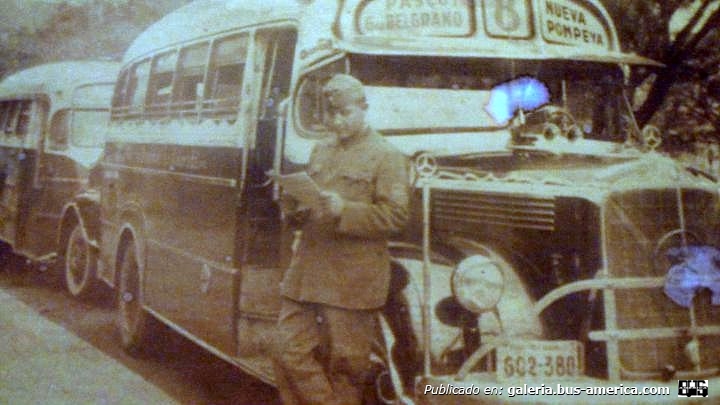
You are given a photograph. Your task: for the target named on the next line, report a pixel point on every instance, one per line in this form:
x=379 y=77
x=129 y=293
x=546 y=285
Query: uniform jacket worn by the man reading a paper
x=345 y=262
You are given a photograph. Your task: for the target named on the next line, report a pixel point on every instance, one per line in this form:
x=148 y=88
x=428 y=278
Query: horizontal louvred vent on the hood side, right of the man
x=512 y=210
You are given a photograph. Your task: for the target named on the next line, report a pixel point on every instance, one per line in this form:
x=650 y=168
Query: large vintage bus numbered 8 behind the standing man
x=549 y=241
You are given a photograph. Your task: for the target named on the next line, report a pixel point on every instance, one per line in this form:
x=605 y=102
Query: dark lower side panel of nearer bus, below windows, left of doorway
x=187 y=198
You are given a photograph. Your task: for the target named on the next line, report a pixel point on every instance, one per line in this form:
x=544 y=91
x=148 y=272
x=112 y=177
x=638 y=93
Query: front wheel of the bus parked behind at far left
x=80 y=261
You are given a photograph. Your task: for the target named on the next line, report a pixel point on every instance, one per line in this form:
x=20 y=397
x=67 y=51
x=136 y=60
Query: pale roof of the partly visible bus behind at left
x=58 y=77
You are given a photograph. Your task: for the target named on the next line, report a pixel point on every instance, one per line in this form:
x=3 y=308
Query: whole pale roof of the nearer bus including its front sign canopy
x=547 y=29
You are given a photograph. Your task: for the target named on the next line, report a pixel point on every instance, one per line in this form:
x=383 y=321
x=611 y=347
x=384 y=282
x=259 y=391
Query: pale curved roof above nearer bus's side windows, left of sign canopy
x=205 y=18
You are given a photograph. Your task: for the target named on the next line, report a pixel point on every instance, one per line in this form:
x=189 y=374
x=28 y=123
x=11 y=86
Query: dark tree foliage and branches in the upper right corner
x=684 y=98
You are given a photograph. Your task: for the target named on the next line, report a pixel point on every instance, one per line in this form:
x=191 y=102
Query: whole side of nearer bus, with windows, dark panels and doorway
x=187 y=164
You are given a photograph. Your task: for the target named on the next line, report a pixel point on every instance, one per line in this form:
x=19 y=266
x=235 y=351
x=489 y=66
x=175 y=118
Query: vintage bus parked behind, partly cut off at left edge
x=52 y=118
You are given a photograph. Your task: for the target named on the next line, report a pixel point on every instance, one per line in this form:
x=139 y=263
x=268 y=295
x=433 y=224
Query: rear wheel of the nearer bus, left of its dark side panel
x=134 y=323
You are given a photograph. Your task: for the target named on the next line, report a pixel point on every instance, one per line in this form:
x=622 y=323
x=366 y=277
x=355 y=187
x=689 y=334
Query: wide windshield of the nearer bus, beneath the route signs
x=426 y=95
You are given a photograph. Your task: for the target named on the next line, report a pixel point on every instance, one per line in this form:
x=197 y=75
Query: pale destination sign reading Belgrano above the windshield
x=430 y=18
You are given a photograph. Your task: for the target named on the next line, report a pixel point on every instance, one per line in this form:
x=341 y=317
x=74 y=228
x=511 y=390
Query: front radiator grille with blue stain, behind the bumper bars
x=636 y=223
